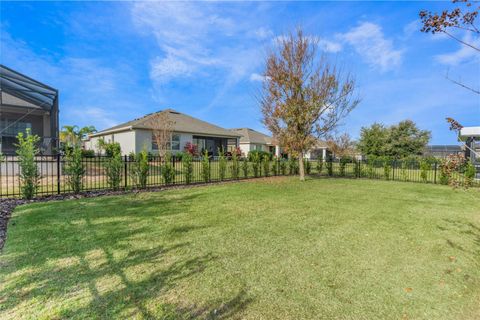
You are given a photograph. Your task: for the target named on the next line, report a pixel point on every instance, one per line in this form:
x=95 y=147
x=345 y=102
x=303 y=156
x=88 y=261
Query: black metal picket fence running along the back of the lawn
x=53 y=179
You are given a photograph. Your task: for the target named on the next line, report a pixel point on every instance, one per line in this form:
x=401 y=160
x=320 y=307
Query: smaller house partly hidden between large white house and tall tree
x=252 y=140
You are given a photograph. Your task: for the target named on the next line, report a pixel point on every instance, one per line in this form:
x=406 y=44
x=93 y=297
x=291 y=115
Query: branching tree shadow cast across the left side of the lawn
x=33 y=277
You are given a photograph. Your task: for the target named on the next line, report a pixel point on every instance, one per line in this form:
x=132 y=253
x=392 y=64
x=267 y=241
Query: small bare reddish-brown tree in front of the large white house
x=162 y=129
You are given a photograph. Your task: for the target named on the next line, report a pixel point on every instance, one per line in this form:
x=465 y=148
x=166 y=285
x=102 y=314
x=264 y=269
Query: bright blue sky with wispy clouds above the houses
x=115 y=61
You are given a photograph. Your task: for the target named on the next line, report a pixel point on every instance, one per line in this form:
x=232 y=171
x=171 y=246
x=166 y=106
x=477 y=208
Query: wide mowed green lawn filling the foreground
x=265 y=249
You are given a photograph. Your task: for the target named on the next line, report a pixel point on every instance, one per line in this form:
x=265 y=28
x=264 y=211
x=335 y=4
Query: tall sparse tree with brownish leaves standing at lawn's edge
x=304 y=95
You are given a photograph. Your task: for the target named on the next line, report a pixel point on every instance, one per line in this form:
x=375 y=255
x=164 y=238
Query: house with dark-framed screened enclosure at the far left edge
x=27 y=104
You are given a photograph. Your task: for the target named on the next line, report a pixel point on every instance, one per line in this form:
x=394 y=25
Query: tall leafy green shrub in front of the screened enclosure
x=29 y=175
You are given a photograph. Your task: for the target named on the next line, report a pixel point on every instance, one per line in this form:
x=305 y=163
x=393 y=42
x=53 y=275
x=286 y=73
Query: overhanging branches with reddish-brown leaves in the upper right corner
x=452 y=23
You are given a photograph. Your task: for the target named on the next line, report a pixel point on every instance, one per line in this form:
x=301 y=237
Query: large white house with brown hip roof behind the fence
x=136 y=135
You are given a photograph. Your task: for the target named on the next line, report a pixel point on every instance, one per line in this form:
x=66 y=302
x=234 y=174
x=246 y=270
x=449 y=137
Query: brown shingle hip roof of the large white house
x=181 y=123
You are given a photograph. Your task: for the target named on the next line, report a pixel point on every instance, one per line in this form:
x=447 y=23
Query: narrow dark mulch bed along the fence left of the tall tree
x=8 y=205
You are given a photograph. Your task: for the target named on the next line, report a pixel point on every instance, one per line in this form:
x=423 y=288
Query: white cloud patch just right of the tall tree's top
x=370 y=43
